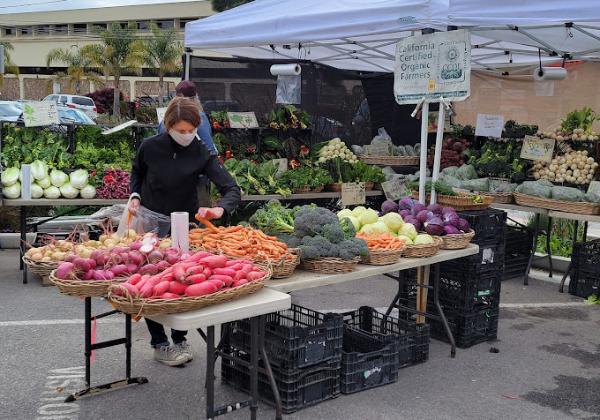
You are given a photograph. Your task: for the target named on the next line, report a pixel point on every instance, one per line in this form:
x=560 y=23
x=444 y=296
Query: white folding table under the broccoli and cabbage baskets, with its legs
x=306 y=279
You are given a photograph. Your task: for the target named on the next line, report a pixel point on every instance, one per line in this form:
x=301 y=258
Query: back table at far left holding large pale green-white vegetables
x=23 y=204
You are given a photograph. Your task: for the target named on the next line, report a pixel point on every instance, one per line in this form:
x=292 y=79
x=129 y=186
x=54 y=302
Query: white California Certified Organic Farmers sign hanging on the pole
x=433 y=65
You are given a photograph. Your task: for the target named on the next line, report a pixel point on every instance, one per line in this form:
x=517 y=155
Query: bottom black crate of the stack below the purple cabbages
x=468 y=327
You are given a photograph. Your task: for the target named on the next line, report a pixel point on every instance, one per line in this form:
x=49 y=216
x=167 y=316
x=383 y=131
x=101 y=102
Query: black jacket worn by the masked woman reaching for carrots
x=165 y=175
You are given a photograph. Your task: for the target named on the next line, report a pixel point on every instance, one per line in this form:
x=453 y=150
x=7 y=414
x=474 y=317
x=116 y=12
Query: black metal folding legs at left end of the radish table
x=89 y=347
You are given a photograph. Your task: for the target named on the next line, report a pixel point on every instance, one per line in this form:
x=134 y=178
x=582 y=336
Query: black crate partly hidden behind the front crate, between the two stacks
x=412 y=338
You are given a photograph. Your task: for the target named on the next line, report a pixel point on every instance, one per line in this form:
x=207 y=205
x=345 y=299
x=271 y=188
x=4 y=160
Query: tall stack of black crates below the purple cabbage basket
x=469 y=287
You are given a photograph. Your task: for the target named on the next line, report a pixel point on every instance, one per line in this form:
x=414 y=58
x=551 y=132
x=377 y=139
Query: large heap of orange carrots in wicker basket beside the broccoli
x=246 y=243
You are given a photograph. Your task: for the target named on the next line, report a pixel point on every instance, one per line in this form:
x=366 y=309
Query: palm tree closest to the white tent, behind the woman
x=162 y=52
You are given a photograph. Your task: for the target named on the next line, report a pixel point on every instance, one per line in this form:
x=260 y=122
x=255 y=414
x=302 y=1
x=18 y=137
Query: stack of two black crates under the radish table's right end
x=304 y=348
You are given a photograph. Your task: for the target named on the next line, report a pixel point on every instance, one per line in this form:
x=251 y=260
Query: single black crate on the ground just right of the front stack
x=367 y=361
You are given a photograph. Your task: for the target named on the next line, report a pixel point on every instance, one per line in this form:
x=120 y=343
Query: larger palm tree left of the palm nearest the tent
x=119 y=53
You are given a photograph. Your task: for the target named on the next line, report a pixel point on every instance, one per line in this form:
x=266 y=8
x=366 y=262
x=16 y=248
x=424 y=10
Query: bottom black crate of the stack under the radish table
x=298 y=388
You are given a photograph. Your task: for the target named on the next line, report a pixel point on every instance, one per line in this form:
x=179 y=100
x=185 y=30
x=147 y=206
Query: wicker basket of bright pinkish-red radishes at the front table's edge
x=201 y=280
